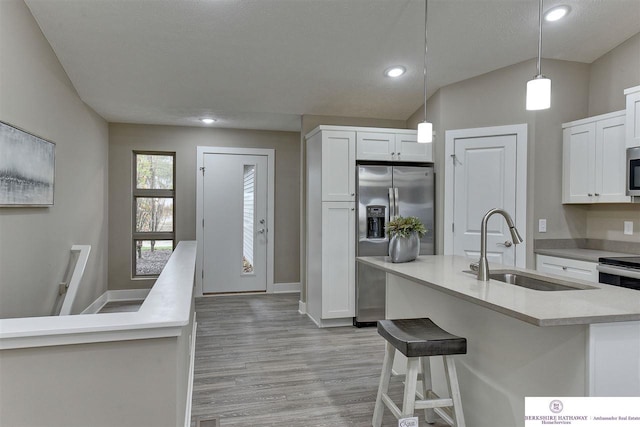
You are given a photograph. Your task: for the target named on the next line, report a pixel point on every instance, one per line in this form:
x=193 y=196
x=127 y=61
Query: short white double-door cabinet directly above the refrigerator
x=392 y=146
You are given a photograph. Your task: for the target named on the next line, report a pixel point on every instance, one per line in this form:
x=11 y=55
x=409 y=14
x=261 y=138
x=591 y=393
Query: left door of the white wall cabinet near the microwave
x=578 y=161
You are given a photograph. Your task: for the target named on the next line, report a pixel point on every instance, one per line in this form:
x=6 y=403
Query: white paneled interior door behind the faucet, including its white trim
x=487 y=169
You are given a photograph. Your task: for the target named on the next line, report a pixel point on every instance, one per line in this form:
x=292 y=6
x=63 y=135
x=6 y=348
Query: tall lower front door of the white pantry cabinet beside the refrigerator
x=338 y=259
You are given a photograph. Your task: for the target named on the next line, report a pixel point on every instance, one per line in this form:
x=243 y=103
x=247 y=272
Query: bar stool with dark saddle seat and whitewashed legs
x=419 y=339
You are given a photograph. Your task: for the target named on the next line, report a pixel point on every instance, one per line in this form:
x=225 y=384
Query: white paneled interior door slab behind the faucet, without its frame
x=484 y=178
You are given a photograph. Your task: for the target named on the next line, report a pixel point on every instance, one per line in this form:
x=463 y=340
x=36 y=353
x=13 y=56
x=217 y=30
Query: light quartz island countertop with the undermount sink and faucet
x=602 y=304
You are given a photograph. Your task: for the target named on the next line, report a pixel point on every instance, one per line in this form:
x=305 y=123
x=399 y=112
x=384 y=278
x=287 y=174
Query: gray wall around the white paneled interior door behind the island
x=498 y=98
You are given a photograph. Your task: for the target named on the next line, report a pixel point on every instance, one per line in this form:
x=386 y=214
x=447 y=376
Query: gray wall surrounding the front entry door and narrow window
x=124 y=138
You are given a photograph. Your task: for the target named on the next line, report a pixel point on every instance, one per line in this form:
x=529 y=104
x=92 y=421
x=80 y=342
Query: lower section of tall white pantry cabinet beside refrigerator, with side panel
x=331 y=265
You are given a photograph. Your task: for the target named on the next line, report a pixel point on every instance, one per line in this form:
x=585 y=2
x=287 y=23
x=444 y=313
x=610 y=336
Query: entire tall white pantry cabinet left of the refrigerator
x=330 y=238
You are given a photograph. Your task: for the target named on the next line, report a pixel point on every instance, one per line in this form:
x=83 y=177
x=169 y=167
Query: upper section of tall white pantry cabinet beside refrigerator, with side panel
x=334 y=154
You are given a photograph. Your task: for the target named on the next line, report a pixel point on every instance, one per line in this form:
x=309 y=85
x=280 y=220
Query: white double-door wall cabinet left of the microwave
x=594 y=151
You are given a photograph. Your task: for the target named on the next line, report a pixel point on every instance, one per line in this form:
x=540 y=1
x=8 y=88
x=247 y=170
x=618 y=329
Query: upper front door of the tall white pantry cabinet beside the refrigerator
x=338 y=166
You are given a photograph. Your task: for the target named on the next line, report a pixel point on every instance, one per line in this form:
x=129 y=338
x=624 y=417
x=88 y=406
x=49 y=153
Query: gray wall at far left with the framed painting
x=36 y=95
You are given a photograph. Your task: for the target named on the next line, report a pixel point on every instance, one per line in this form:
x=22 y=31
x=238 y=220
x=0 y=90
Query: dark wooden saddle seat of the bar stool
x=420 y=338
